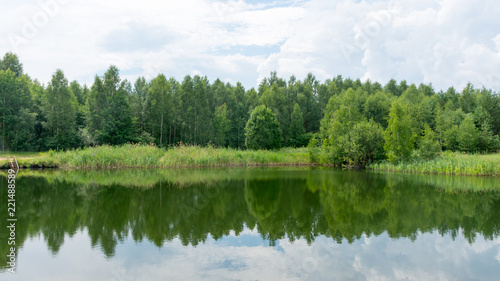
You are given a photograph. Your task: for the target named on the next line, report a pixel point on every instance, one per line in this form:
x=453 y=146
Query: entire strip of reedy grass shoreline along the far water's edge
x=137 y=156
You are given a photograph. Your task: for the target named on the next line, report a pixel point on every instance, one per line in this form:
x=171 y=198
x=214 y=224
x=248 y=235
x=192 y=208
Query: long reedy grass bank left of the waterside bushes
x=146 y=156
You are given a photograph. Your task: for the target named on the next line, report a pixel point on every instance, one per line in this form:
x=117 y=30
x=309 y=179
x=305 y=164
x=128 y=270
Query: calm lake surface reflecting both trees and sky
x=252 y=224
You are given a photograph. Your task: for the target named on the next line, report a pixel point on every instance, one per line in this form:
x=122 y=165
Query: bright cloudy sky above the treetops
x=443 y=42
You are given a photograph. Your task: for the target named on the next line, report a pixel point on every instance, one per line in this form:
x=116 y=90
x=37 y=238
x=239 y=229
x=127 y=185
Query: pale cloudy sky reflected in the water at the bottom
x=248 y=257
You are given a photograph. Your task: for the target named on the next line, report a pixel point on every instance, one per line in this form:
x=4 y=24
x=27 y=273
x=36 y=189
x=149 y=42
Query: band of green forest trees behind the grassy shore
x=345 y=120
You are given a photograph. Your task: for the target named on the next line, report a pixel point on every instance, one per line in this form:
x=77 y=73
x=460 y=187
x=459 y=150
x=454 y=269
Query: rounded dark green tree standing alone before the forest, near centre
x=262 y=130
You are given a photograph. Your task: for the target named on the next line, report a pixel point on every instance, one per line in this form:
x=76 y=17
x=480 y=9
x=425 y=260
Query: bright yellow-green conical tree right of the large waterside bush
x=399 y=136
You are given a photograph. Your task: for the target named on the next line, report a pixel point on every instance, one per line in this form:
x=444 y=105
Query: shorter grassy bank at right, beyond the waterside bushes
x=448 y=164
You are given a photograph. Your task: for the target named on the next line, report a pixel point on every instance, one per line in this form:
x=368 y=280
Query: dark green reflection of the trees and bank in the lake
x=288 y=204
